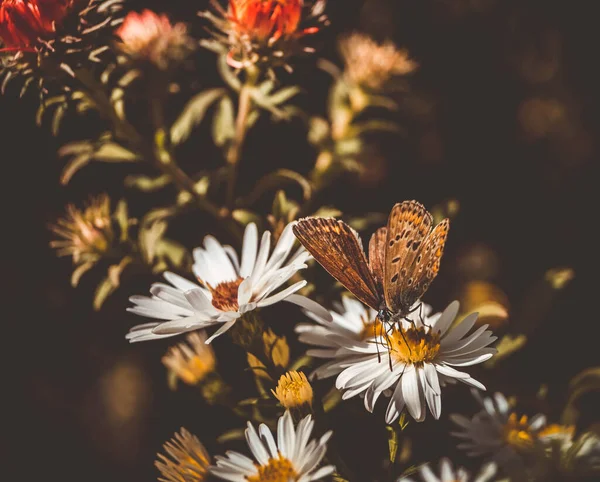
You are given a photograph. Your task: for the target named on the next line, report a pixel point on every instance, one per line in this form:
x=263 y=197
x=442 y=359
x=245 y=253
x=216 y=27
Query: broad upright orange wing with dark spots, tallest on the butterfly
x=409 y=224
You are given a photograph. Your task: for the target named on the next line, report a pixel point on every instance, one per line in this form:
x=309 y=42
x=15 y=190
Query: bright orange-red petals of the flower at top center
x=266 y=20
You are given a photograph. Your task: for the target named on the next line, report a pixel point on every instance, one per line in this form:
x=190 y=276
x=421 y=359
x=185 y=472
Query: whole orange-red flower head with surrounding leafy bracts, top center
x=263 y=31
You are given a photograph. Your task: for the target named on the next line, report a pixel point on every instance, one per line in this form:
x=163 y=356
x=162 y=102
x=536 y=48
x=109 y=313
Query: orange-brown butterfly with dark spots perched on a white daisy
x=404 y=257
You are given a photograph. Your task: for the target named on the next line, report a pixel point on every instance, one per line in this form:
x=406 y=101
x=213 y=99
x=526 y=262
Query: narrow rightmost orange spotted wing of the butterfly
x=426 y=265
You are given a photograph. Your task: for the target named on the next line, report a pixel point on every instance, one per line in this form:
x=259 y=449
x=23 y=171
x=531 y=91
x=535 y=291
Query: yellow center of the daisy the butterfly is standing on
x=414 y=345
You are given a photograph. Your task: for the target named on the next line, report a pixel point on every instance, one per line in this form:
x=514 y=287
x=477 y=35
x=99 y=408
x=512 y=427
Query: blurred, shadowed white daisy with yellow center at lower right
x=500 y=433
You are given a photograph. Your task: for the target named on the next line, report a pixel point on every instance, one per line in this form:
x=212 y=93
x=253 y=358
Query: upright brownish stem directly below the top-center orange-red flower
x=241 y=128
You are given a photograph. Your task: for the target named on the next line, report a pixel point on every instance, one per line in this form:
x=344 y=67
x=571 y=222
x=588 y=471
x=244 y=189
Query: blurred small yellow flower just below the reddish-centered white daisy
x=191 y=361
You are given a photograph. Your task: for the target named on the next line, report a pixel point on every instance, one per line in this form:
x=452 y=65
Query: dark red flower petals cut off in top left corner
x=24 y=22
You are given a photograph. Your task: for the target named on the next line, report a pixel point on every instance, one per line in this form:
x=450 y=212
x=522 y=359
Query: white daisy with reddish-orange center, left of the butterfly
x=227 y=289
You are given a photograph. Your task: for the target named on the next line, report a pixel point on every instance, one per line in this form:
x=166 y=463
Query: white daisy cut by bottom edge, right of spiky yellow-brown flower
x=291 y=459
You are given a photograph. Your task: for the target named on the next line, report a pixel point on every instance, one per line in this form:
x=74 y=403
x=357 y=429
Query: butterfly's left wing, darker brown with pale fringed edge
x=337 y=247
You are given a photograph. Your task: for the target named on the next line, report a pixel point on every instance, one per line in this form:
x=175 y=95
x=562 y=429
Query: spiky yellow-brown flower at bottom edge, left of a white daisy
x=186 y=461
